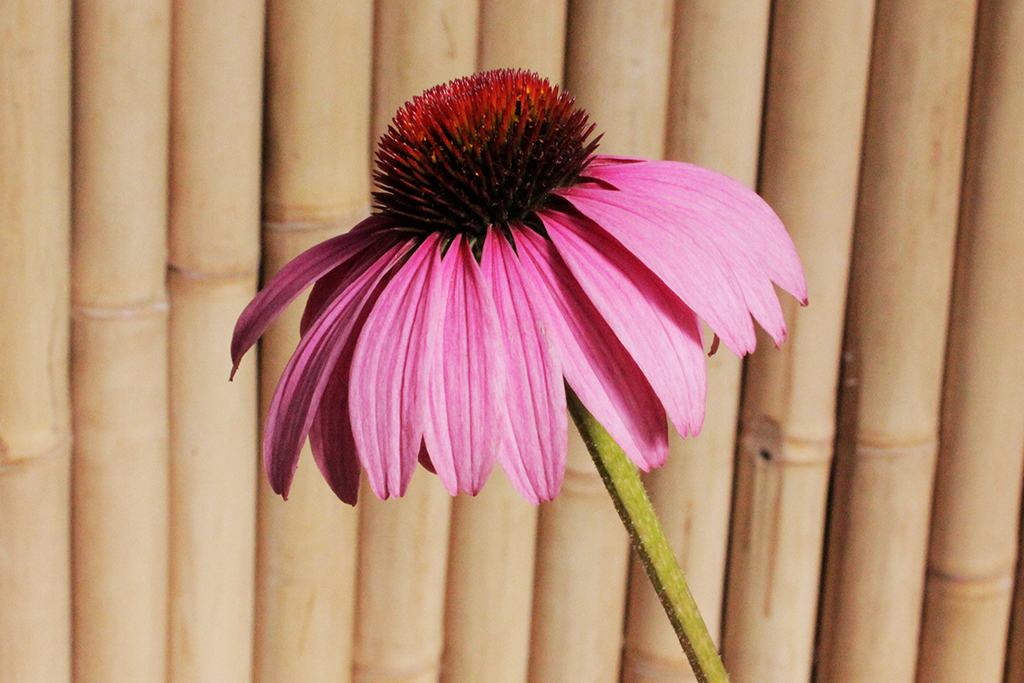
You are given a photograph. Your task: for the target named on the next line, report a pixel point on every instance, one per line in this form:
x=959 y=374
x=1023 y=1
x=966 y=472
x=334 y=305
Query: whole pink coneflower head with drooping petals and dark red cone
x=504 y=262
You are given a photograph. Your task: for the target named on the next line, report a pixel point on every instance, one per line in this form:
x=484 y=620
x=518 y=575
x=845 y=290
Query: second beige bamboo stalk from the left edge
x=119 y=369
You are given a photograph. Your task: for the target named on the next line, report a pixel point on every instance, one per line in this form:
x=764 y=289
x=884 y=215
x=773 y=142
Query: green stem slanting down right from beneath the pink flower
x=623 y=482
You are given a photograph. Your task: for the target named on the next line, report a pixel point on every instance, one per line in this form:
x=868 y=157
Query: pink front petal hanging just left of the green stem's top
x=535 y=458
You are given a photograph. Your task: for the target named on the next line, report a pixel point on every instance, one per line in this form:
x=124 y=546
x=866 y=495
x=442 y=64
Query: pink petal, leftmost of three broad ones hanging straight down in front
x=389 y=389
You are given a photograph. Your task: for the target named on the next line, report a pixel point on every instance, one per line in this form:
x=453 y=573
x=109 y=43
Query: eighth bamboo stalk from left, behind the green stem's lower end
x=715 y=121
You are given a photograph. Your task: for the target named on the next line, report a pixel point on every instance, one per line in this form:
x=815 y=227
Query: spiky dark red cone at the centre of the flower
x=481 y=151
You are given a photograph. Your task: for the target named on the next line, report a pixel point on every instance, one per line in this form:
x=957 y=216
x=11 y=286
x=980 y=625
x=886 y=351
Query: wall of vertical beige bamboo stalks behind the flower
x=849 y=515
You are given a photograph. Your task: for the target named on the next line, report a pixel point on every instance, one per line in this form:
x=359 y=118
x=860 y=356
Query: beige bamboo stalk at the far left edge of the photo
x=35 y=416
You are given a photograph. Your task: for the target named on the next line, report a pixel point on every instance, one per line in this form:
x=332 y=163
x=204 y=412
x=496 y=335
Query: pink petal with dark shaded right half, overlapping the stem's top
x=595 y=364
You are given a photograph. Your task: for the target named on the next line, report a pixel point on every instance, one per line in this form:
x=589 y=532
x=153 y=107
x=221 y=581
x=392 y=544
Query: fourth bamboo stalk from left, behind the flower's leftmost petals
x=316 y=187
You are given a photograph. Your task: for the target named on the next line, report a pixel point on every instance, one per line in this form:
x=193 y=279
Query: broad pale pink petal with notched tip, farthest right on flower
x=711 y=239
